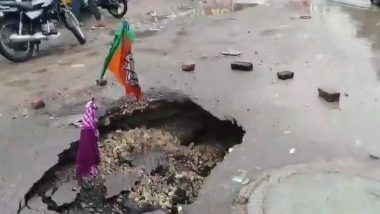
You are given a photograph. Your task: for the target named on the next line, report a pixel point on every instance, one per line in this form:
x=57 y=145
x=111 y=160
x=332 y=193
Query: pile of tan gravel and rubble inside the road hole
x=172 y=174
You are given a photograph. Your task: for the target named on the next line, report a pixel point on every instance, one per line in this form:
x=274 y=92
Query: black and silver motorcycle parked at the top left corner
x=23 y=25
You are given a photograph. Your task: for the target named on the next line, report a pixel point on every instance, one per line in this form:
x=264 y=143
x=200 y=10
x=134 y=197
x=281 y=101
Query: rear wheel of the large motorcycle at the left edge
x=16 y=52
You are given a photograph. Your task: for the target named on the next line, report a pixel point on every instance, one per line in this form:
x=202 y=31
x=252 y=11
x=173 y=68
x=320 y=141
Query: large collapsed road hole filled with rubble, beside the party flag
x=153 y=157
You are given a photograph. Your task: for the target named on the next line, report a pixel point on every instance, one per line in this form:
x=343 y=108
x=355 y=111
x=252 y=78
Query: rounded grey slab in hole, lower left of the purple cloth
x=65 y=194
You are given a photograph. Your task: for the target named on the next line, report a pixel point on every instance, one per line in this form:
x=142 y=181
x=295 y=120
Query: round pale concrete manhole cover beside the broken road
x=308 y=191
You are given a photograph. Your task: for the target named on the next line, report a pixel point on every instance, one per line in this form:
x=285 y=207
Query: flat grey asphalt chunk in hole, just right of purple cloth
x=118 y=182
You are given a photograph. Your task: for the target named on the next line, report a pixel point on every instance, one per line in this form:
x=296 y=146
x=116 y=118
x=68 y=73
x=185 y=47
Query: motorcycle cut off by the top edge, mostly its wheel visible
x=117 y=8
